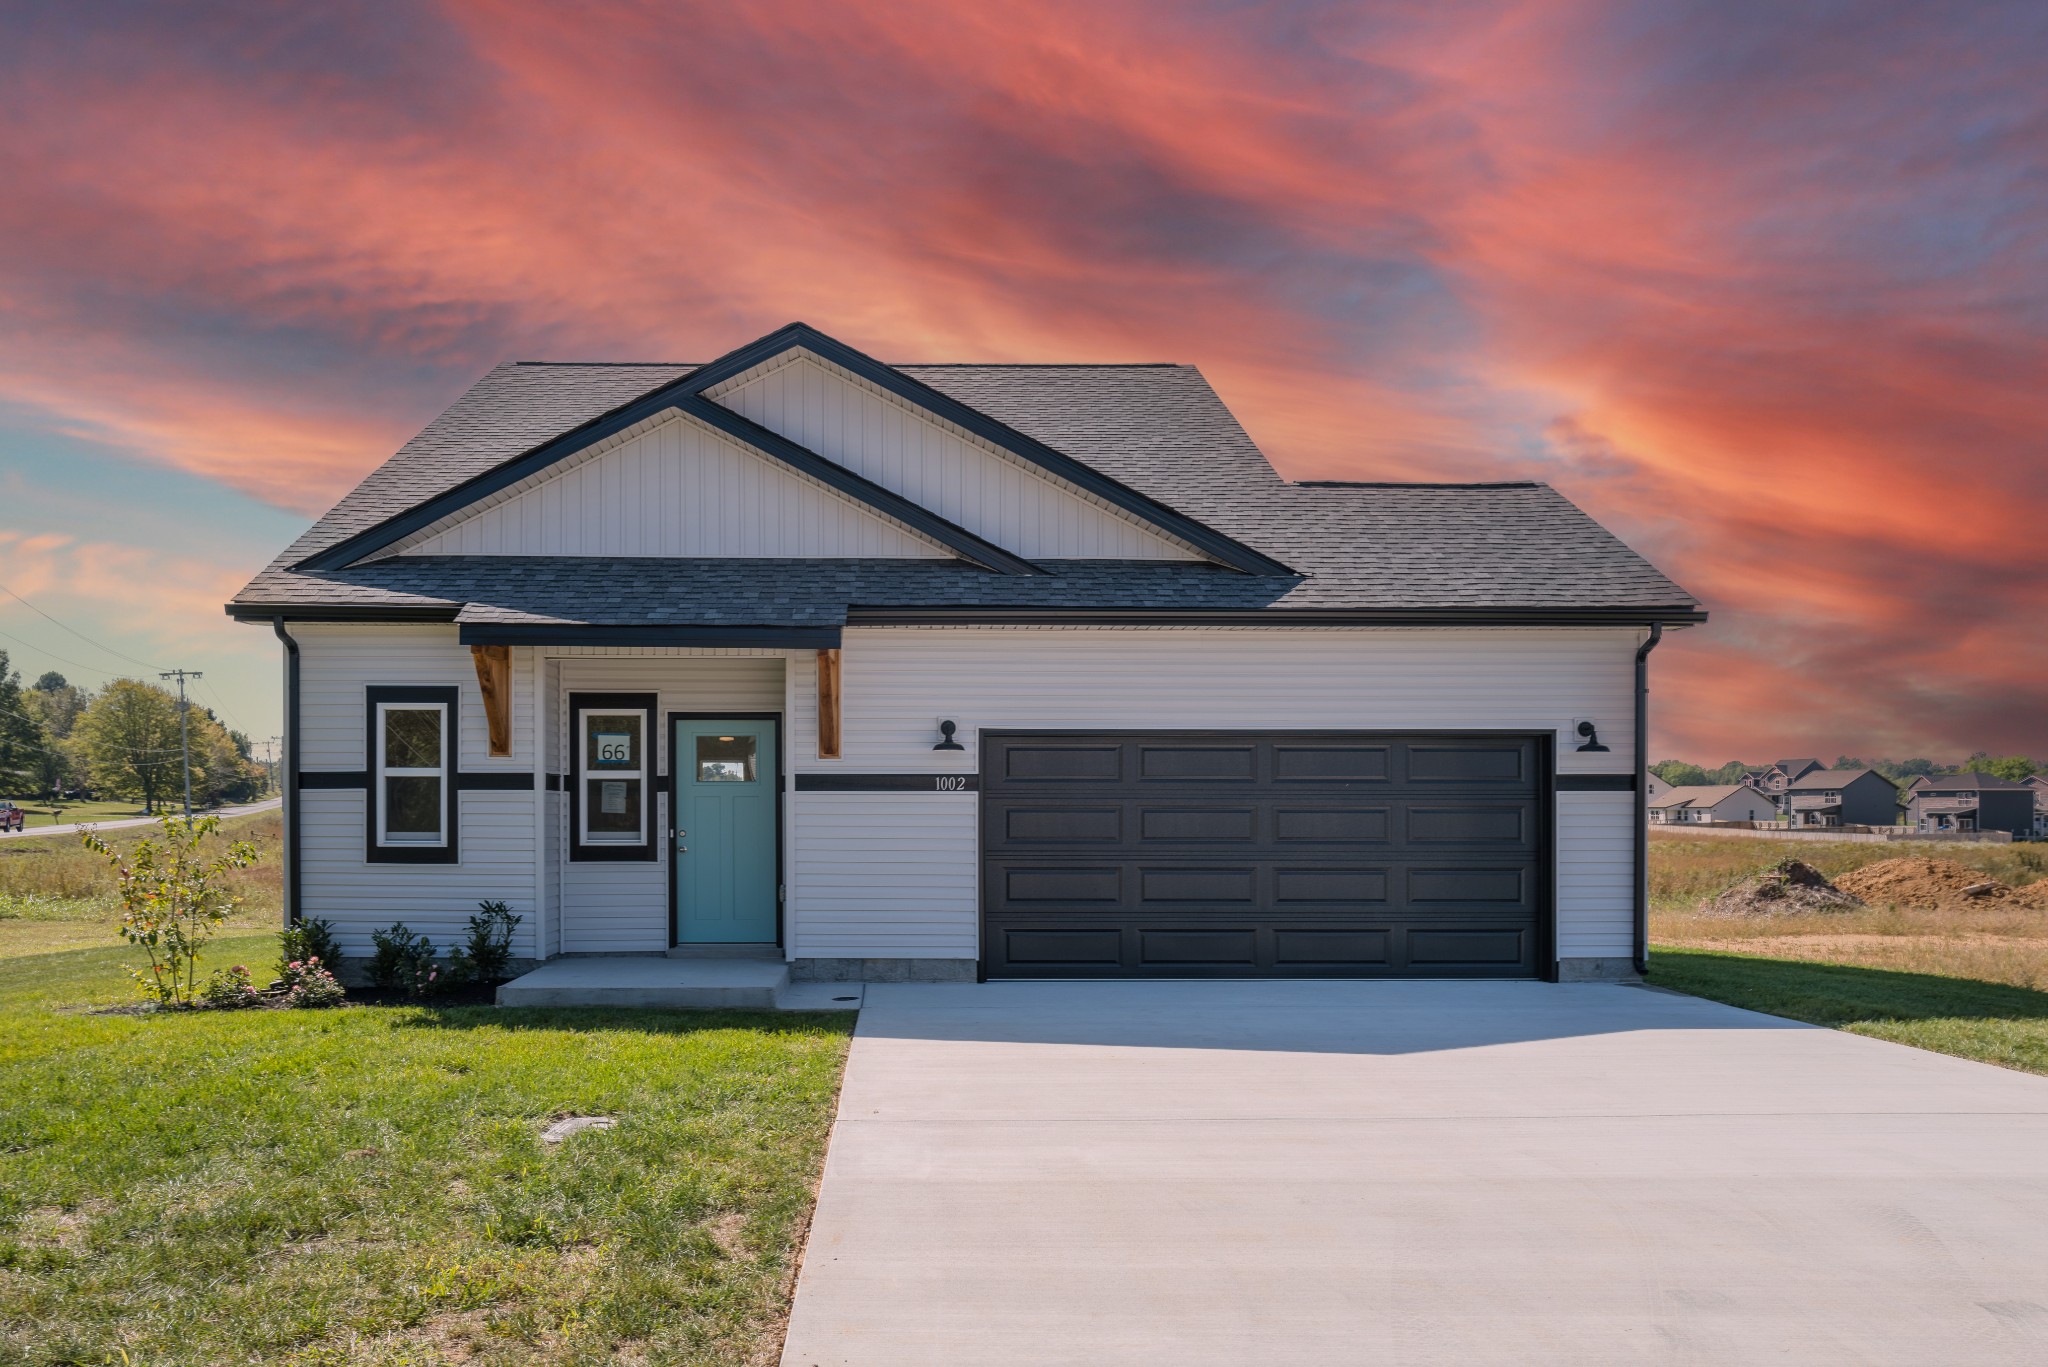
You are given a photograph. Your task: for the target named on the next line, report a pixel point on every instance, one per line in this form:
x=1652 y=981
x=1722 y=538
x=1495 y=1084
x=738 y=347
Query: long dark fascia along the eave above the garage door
x=1271 y=618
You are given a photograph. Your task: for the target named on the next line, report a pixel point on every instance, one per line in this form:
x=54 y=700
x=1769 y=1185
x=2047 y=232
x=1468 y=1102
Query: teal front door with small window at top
x=724 y=833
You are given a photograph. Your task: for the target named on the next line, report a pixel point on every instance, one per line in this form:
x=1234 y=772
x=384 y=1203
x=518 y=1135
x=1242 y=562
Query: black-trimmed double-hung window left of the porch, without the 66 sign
x=413 y=774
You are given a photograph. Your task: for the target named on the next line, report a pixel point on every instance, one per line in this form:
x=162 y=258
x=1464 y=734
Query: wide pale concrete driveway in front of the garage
x=1414 y=1173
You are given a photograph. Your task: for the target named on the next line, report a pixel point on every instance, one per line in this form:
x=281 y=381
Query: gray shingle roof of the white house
x=1158 y=429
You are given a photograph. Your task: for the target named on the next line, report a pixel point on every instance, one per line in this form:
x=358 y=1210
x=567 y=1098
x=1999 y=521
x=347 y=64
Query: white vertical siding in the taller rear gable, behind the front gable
x=937 y=464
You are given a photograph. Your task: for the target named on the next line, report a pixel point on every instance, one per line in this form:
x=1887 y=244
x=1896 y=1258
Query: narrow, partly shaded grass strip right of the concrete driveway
x=1988 y=1022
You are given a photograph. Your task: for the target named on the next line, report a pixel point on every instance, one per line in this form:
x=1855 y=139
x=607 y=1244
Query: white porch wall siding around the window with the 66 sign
x=624 y=907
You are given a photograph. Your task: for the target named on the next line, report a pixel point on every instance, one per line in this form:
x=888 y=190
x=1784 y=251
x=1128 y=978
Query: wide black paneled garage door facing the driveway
x=1263 y=856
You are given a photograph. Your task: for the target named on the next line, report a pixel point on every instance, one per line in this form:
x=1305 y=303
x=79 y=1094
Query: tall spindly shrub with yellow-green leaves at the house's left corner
x=171 y=901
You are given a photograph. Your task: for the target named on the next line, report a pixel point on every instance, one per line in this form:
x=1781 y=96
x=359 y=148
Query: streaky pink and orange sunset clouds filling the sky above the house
x=1762 y=286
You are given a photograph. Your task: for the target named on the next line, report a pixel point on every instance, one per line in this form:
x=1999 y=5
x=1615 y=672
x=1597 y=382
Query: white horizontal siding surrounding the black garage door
x=896 y=874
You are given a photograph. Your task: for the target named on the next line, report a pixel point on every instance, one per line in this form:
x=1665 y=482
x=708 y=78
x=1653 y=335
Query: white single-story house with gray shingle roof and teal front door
x=957 y=671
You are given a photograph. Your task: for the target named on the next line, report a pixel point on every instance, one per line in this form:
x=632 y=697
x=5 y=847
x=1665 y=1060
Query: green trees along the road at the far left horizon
x=116 y=743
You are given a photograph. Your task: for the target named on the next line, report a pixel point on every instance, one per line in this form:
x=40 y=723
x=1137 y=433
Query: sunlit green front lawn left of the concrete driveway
x=368 y=1186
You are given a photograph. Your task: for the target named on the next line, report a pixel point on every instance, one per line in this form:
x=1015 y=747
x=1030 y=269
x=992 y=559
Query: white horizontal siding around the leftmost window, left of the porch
x=497 y=829
